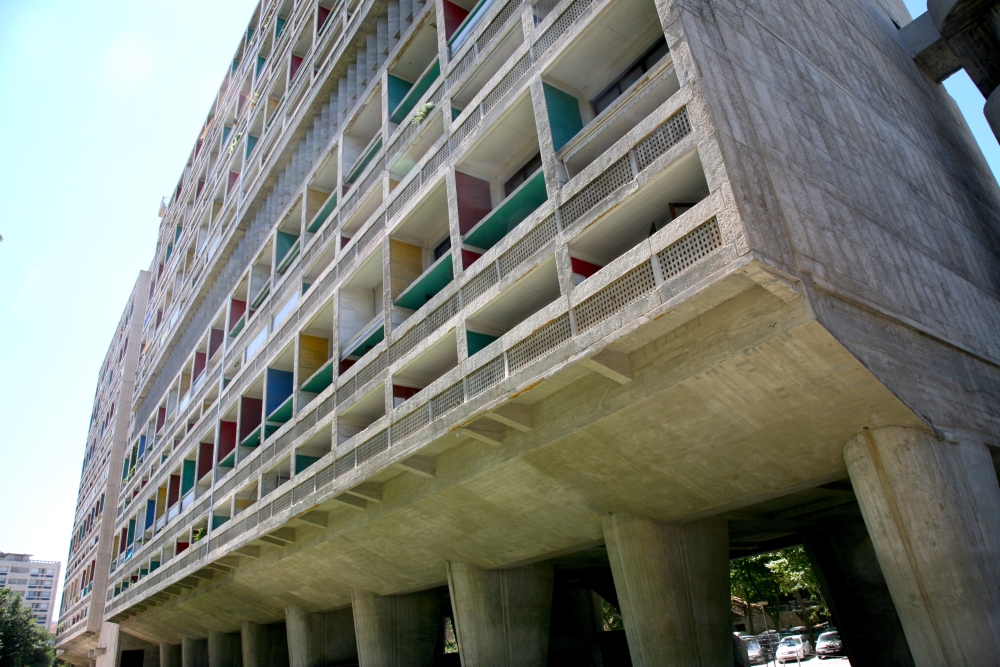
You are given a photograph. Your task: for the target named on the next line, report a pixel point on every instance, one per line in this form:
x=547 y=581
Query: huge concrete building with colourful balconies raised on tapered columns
x=493 y=318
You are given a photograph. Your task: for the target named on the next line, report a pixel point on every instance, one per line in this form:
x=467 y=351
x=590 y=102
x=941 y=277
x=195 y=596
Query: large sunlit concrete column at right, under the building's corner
x=932 y=509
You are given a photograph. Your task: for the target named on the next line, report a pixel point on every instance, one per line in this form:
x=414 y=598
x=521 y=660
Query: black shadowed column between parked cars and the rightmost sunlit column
x=845 y=564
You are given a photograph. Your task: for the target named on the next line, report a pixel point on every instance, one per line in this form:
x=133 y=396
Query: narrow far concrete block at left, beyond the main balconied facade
x=93 y=540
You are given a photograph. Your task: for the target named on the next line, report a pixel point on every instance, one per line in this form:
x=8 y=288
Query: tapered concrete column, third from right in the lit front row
x=501 y=616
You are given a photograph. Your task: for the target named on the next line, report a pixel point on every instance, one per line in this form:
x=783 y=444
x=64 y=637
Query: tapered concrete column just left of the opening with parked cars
x=673 y=586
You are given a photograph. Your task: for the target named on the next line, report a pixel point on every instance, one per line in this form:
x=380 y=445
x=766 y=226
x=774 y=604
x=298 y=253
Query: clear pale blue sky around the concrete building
x=102 y=102
